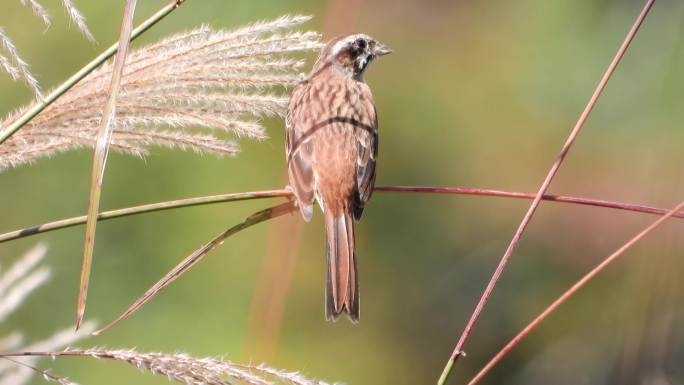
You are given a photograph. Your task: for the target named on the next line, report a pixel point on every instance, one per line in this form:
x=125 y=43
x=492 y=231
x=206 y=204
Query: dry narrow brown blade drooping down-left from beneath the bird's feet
x=197 y=255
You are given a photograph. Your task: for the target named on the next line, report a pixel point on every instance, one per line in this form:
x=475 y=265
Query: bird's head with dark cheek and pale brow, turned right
x=351 y=54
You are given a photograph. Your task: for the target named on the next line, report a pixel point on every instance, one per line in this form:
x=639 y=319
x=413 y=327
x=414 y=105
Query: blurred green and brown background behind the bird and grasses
x=476 y=94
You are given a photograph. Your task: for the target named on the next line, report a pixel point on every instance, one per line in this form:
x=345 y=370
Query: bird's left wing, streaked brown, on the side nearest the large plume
x=299 y=152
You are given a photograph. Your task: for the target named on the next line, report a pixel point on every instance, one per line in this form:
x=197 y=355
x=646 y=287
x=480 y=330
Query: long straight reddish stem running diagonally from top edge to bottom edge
x=458 y=349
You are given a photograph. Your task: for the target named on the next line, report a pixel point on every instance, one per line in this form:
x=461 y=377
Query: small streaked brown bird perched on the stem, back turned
x=331 y=147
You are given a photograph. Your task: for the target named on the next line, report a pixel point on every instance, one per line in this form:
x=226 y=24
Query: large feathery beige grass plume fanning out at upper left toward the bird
x=217 y=80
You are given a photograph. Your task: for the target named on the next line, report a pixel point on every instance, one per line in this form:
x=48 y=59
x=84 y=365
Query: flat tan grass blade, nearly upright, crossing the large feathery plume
x=104 y=137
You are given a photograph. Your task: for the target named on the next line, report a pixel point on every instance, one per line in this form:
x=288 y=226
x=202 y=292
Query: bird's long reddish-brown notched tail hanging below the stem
x=342 y=292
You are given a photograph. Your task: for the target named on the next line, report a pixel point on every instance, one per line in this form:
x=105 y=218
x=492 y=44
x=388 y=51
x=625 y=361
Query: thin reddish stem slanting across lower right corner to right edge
x=569 y=293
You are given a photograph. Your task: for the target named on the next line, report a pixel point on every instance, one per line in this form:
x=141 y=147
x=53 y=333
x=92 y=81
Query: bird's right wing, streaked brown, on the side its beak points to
x=367 y=150
